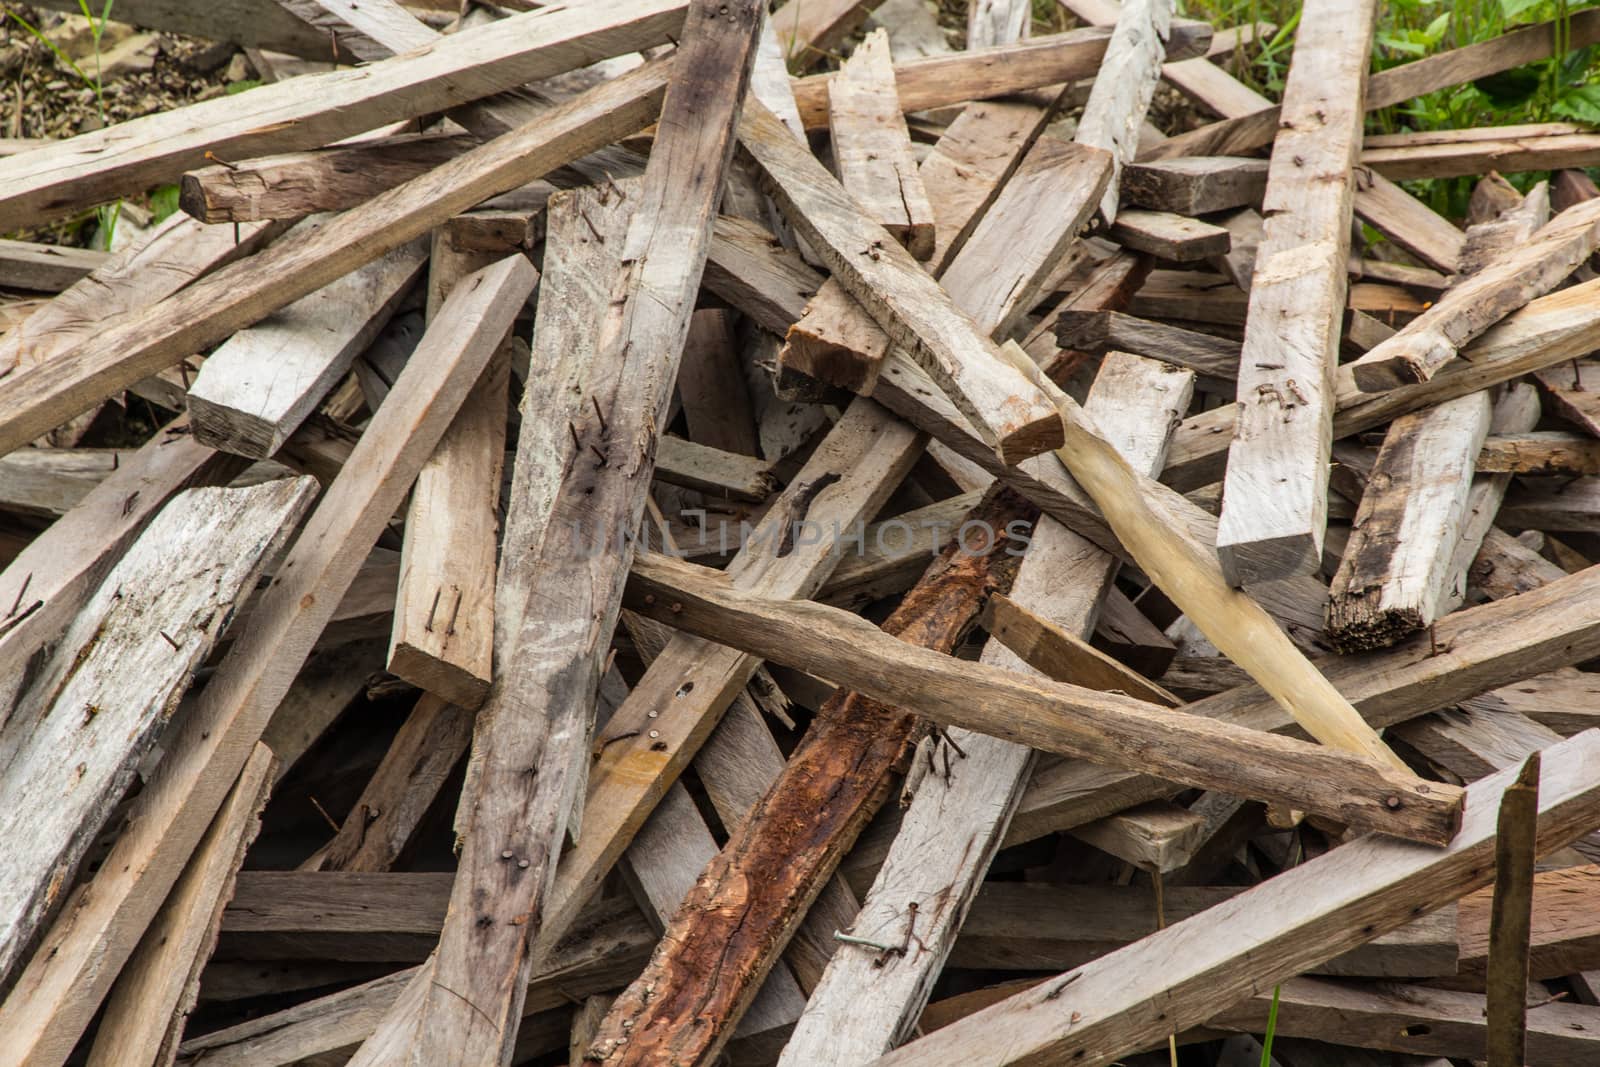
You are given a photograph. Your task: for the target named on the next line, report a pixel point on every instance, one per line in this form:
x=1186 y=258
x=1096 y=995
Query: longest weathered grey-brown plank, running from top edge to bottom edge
x=564 y=593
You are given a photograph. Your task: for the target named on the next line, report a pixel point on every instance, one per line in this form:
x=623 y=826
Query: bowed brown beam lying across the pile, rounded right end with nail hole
x=1042 y=714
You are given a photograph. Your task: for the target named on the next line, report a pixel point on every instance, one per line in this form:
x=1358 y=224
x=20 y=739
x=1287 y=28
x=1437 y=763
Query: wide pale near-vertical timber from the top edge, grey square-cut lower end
x=1276 y=492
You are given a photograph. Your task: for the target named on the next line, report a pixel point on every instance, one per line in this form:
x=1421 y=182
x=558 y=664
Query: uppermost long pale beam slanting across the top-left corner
x=313 y=111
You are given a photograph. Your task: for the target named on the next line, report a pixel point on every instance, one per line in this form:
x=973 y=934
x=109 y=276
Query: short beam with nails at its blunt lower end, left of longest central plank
x=444 y=633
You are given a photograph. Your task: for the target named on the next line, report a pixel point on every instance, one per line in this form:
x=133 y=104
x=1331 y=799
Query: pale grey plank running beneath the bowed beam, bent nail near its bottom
x=954 y=826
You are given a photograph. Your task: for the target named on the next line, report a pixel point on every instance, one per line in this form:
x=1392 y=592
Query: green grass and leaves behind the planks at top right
x=1566 y=89
